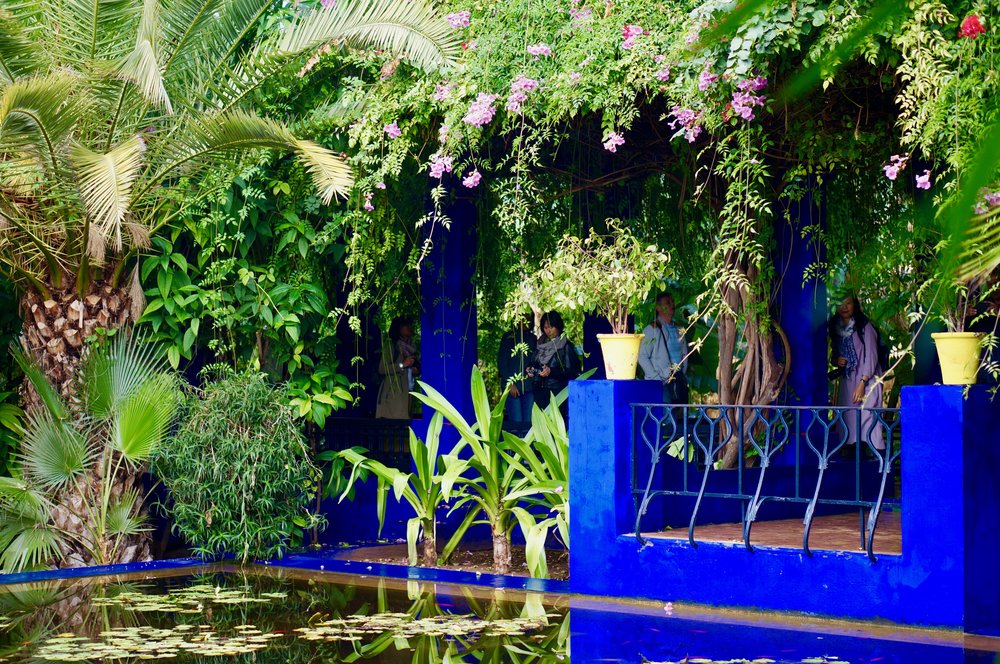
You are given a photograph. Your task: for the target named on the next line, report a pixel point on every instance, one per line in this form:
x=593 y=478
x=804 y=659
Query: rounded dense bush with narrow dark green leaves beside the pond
x=238 y=472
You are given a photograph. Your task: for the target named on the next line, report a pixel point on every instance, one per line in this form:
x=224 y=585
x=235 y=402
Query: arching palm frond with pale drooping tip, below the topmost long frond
x=217 y=135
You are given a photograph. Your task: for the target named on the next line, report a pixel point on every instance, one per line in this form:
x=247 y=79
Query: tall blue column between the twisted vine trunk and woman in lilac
x=800 y=300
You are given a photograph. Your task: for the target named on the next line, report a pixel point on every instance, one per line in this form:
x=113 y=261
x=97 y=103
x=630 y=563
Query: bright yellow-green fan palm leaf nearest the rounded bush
x=143 y=421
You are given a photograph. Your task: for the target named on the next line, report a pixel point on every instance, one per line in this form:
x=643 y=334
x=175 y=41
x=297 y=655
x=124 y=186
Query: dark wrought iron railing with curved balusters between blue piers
x=791 y=437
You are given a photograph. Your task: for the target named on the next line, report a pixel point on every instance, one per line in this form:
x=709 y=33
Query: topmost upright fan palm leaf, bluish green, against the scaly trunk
x=112 y=374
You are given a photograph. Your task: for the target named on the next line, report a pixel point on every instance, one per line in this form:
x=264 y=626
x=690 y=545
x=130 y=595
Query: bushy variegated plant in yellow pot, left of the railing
x=611 y=275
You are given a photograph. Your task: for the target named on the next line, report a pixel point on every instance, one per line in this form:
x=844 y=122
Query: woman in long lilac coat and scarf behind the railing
x=854 y=353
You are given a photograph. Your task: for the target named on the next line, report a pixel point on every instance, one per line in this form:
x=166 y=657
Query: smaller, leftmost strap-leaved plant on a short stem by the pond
x=425 y=491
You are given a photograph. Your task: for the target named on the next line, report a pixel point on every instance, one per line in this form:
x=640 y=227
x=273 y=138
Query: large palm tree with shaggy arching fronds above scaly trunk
x=104 y=104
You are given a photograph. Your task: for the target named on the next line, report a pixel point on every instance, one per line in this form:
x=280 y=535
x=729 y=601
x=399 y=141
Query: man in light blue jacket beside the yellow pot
x=664 y=351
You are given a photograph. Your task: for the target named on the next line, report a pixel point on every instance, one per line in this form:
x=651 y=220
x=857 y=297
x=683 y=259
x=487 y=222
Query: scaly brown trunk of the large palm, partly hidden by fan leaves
x=55 y=330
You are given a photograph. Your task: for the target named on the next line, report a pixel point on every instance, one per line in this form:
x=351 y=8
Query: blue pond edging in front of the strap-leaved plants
x=329 y=562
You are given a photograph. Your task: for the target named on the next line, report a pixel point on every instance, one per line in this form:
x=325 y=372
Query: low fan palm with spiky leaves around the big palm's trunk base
x=79 y=497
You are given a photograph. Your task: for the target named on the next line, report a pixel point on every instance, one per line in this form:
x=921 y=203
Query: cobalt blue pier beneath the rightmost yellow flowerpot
x=951 y=498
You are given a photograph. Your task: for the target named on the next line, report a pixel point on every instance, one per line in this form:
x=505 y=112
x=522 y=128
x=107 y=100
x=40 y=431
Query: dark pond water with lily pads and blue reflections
x=264 y=615
